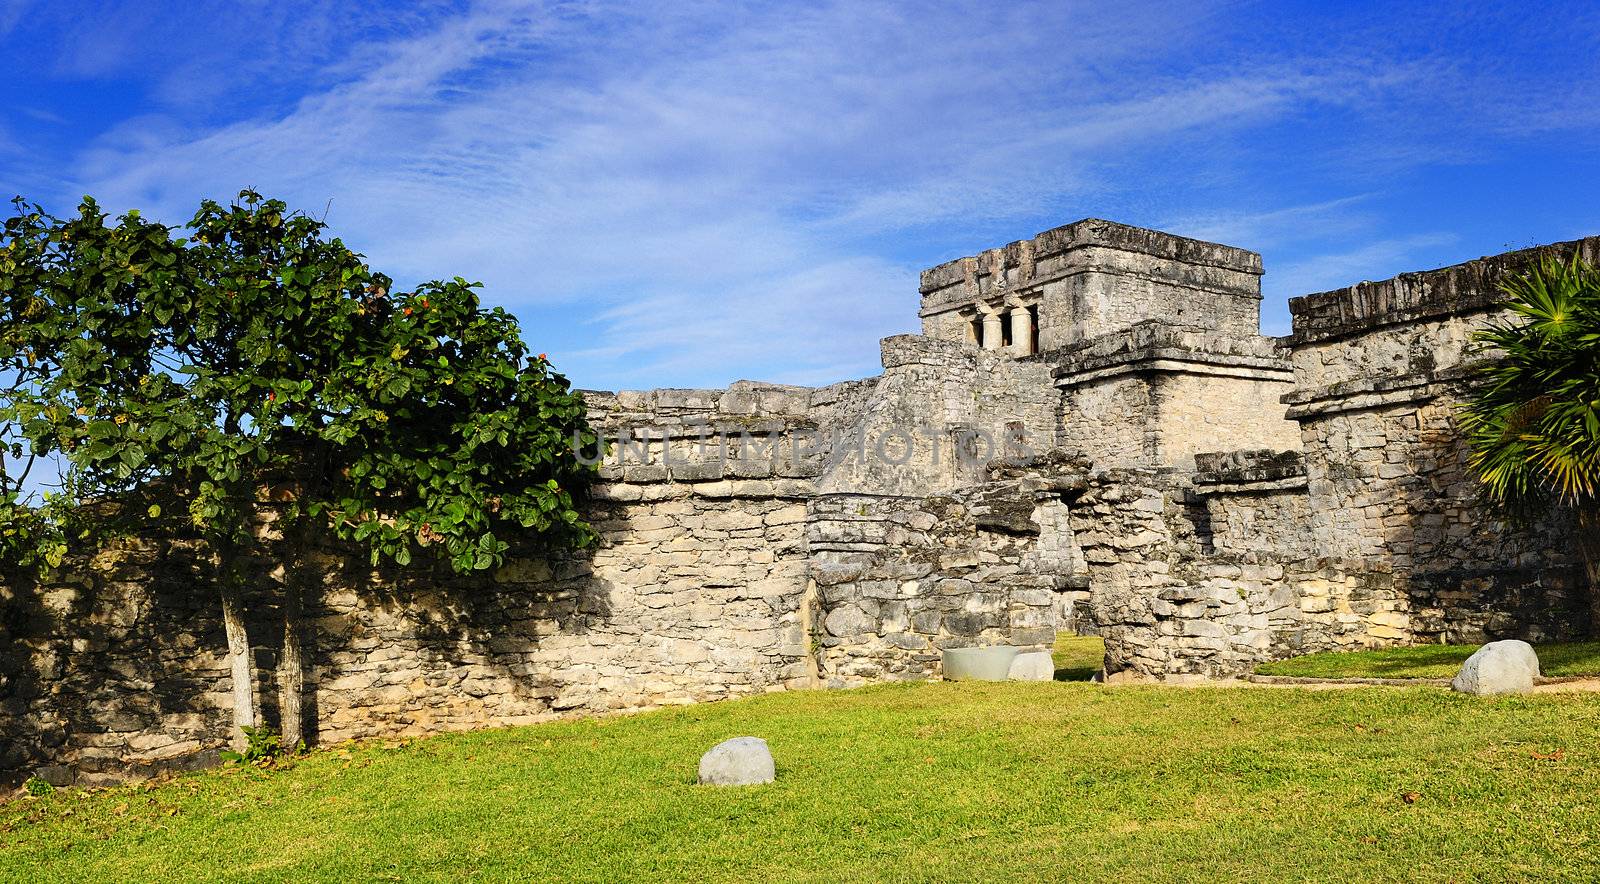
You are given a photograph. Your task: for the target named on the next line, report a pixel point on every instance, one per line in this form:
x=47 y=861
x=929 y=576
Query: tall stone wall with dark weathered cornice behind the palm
x=1382 y=372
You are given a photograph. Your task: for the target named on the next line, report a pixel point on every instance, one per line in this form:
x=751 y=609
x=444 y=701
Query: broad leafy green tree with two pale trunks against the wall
x=270 y=380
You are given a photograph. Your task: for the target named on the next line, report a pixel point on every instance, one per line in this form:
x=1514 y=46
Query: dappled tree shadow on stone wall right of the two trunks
x=425 y=648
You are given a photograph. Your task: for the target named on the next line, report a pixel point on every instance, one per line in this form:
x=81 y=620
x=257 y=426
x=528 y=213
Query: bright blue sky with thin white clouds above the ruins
x=686 y=195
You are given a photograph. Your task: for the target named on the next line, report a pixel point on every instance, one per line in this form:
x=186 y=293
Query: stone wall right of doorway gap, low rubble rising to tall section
x=1370 y=532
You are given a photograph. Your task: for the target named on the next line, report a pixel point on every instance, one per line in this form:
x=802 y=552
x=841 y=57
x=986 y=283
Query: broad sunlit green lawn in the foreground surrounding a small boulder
x=914 y=782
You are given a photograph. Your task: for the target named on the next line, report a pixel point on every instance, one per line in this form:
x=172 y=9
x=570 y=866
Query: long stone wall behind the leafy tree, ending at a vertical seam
x=695 y=592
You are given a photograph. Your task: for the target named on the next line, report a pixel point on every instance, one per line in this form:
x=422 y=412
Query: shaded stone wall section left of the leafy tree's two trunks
x=114 y=665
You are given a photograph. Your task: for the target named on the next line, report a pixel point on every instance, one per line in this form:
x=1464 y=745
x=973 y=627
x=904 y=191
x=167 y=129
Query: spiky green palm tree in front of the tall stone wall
x=1534 y=425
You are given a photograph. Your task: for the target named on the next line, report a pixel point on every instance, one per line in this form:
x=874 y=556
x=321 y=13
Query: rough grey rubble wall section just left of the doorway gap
x=902 y=579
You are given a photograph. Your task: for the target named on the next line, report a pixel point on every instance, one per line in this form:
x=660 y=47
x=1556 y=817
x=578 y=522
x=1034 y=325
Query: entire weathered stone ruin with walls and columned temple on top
x=1089 y=436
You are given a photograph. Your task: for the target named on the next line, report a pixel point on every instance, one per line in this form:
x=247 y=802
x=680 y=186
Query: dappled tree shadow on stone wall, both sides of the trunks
x=116 y=665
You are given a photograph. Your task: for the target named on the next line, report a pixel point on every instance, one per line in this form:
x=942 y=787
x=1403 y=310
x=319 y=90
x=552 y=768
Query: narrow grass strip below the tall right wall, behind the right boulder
x=1428 y=662
